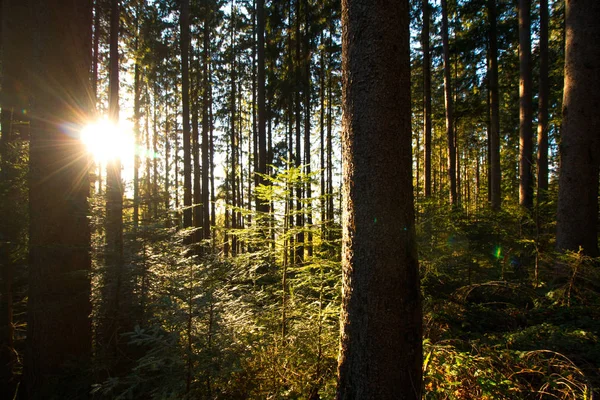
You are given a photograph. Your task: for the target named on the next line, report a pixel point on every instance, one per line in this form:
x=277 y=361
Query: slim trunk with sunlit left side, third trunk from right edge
x=525 y=107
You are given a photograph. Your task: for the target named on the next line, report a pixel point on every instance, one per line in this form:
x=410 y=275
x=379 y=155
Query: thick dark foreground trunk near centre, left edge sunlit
x=381 y=340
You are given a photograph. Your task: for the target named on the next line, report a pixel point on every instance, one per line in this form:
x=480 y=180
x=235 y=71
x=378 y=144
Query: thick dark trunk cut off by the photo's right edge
x=577 y=217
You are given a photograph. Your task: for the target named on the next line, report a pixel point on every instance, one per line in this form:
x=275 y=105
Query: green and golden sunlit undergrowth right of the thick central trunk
x=505 y=317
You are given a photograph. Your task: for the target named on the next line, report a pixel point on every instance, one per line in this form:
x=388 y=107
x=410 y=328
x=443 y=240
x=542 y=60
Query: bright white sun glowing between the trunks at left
x=107 y=141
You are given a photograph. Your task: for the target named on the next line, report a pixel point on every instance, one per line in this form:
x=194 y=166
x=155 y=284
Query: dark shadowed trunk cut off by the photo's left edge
x=16 y=42
